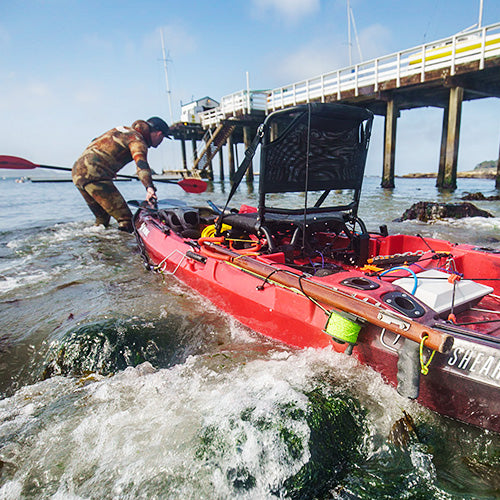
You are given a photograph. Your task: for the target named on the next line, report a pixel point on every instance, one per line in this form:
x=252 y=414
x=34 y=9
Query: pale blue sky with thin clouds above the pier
x=72 y=69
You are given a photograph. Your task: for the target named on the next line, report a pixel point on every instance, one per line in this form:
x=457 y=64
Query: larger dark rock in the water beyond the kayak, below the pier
x=428 y=210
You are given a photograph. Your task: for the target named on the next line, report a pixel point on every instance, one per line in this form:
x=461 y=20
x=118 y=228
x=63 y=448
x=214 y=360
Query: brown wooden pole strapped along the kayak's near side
x=383 y=318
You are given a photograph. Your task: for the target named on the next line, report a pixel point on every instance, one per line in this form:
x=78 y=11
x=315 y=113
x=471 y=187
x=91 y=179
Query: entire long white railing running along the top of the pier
x=448 y=53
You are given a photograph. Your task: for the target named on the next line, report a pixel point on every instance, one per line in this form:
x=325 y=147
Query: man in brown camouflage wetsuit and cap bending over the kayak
x=94 y=171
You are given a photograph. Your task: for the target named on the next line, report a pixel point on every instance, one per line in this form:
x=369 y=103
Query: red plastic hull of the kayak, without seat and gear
x=463 y=383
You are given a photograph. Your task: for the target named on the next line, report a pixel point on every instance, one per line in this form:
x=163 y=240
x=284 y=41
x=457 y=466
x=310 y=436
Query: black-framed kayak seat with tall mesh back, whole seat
x=317 y=151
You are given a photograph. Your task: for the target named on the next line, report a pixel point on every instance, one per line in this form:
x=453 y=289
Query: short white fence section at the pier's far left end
x=231 y=105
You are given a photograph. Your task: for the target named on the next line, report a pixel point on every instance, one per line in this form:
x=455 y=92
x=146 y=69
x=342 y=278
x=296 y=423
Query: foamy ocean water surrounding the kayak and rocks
x=118 y=383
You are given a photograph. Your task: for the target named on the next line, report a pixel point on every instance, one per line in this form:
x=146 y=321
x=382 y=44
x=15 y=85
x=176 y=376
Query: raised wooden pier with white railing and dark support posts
x=442 y=74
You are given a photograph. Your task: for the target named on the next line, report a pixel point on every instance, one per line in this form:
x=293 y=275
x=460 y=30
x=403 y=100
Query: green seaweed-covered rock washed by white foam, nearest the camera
x=304 y=449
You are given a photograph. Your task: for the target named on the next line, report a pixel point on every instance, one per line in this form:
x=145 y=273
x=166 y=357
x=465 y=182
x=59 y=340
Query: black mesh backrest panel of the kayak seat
x=337 y=146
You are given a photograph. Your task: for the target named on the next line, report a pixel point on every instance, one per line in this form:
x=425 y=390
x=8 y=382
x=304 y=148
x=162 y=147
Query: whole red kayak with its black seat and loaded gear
x=425 y=313
